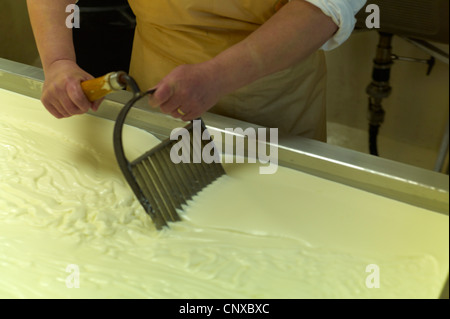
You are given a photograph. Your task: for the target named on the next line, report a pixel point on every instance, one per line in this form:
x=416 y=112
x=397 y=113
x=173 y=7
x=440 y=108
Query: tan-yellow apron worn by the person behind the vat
x=174 y=32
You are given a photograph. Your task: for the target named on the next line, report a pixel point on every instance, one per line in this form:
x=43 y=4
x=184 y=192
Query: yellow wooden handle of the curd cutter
x=99 y=87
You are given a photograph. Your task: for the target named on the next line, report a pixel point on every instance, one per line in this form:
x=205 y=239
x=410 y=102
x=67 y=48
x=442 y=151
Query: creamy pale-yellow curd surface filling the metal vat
x=63 y=201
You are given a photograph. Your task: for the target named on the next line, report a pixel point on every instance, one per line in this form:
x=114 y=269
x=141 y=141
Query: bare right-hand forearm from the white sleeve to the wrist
x=292 y=34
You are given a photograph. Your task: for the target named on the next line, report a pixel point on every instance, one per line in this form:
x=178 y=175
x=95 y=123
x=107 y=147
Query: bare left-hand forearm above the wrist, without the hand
x=53 y=38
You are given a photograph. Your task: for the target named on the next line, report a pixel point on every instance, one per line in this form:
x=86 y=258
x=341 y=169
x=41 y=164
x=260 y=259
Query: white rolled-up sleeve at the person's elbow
x=343 y=14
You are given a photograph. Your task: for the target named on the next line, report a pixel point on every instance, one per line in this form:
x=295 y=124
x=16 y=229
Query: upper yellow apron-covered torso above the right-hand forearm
x=193 y=31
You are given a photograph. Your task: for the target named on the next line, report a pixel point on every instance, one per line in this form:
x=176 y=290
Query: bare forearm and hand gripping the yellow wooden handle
x=62 y=95
